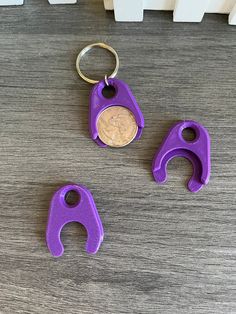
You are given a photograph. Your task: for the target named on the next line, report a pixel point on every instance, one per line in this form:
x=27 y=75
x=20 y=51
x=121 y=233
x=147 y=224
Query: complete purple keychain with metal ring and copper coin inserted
x=113 y=121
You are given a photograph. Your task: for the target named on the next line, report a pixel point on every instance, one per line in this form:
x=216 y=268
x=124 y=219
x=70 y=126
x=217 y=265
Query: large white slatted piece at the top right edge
x=184 y=10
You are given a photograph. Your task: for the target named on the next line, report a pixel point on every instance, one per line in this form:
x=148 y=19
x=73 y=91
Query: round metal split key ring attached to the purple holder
x=87 y=49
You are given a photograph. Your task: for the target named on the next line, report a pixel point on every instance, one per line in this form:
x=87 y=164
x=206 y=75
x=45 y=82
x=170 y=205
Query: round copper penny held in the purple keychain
x=117 y=126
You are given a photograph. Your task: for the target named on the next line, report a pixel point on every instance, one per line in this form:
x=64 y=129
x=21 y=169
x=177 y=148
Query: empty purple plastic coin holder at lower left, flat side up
x=84 y=212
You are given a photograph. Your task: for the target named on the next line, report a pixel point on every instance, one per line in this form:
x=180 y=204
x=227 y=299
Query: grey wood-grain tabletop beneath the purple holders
x=165 y=249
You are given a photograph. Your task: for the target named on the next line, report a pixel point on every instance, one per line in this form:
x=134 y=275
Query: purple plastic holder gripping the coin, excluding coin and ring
x=123 y=97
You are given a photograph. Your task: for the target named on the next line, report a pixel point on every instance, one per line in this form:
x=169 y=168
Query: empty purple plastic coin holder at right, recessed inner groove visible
x=196 y=151
